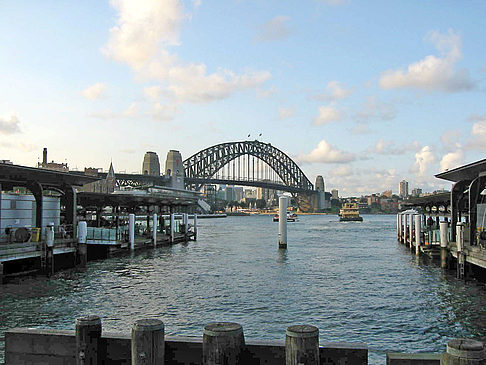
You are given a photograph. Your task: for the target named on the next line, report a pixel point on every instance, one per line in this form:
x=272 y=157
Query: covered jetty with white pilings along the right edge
x=450 y=227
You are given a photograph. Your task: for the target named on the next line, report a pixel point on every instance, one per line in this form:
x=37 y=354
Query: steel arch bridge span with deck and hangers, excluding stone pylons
x=239 y=159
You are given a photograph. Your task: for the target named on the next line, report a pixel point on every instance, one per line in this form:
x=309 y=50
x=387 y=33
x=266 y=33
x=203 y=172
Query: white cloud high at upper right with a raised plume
x=433 y=73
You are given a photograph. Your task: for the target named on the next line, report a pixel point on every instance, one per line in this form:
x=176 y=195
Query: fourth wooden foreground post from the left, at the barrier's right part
x=302 y=345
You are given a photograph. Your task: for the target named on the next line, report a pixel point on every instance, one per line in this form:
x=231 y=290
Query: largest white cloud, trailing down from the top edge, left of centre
x=140 y=39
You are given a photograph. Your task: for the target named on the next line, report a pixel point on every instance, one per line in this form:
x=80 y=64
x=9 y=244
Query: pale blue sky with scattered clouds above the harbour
x=364 y=93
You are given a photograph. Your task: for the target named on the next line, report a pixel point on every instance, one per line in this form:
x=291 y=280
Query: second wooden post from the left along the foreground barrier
x=148 y=342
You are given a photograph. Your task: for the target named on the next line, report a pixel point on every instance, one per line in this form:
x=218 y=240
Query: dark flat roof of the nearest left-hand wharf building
x=16 y=174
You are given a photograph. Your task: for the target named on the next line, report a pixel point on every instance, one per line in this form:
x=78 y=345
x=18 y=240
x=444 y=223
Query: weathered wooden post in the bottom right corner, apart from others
x=462 y=351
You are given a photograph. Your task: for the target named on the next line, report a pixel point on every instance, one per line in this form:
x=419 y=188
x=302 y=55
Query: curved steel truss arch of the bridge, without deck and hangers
x=203 y=165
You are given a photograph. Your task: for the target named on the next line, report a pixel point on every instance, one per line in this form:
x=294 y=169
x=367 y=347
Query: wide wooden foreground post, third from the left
x=223 y=343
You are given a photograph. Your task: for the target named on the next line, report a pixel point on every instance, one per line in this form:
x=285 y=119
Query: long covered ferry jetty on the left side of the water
x=47 y=225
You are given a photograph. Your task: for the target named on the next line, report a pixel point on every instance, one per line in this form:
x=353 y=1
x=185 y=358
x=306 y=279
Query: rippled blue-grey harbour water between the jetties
x=352 y=280
